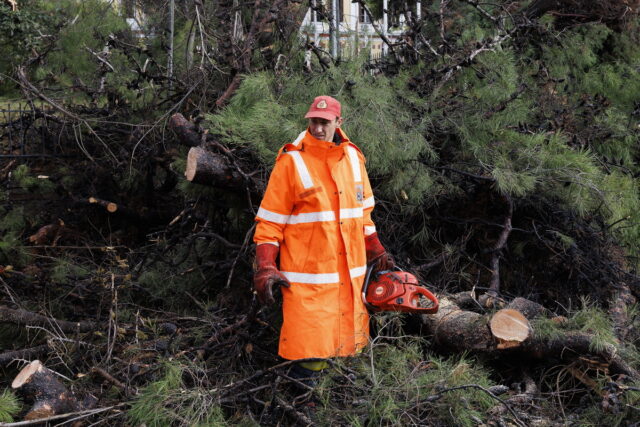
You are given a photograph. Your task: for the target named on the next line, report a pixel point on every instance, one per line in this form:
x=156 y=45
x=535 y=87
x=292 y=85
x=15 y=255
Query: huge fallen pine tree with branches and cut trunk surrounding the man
x=506 y=180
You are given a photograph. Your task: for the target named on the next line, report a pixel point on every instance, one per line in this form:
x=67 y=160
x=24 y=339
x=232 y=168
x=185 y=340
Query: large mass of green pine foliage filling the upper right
x=516 y=119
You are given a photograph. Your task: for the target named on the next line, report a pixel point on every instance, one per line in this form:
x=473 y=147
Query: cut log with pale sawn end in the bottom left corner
x=49 y=396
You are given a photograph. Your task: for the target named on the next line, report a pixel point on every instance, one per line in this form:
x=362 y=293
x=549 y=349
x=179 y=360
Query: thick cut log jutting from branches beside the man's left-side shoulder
x=207 y=168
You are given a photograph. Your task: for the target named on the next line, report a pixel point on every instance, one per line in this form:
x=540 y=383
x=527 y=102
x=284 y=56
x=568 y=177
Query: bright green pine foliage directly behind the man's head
x=267 y=111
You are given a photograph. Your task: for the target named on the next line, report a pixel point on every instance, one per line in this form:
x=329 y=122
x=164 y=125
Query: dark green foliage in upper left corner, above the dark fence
x=68 y=36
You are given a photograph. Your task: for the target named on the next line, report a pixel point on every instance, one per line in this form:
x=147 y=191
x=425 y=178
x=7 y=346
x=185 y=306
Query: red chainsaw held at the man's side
x=395 y=291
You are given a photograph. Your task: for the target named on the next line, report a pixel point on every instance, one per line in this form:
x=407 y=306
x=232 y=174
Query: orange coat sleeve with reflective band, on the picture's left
x=277 y=203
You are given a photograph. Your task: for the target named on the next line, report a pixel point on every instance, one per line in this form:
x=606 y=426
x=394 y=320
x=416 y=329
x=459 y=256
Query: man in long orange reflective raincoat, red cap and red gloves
x=316 y=214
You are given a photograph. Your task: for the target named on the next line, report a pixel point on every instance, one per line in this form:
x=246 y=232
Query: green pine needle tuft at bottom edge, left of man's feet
x=168 y=401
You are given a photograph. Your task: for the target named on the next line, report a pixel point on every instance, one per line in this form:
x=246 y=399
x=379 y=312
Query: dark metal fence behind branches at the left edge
x=30 y=130
